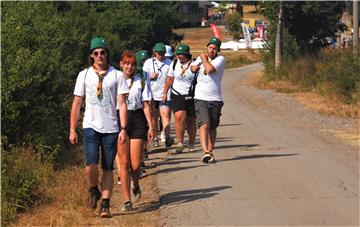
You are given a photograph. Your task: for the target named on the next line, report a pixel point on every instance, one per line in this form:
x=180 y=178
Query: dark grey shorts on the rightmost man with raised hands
x=208 y=112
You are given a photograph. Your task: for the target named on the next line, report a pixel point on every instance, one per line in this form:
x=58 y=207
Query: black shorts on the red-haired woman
x=137 y=126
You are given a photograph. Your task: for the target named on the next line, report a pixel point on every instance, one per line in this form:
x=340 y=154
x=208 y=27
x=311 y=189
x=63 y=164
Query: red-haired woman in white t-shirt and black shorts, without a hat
x=139 y=128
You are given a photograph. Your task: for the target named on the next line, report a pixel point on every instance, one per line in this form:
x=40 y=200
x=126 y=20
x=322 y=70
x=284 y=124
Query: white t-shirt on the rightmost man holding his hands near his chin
x=208 y=87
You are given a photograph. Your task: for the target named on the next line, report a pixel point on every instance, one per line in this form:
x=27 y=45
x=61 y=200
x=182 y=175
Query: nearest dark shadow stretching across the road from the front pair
x=190 y=195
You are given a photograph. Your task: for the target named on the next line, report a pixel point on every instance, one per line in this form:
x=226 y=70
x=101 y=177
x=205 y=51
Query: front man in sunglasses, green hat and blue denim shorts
x=103 y=87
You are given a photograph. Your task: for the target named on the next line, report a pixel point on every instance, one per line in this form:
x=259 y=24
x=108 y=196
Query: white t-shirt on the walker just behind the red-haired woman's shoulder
x=152 y=65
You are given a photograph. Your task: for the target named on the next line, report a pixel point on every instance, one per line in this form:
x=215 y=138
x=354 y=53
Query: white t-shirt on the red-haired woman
x=139 y=92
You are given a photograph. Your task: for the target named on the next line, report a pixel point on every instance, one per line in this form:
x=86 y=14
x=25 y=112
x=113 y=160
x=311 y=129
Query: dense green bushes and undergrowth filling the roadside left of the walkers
x=44 y=46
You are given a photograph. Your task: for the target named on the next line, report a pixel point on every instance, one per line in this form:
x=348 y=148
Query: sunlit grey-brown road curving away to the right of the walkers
x=276 y=165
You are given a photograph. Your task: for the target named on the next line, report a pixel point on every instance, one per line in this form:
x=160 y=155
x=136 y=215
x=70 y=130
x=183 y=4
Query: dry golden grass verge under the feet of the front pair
x=68 y=206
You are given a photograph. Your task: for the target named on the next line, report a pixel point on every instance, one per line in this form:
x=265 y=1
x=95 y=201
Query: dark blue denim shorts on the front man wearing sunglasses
x=94 y=140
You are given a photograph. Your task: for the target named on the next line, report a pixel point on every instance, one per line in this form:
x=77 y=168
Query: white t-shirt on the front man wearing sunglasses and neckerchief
x=100 y=112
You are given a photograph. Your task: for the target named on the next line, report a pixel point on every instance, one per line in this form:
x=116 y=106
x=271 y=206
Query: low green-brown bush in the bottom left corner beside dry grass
x=24 y=178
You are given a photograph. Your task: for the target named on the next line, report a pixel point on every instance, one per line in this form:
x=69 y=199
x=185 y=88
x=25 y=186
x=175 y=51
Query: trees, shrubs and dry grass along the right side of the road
x=310 y=65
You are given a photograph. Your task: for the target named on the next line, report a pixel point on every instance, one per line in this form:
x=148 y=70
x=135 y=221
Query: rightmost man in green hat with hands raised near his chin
x=208 y=98
